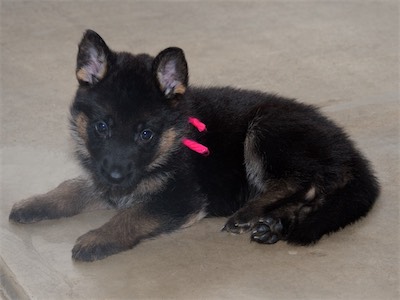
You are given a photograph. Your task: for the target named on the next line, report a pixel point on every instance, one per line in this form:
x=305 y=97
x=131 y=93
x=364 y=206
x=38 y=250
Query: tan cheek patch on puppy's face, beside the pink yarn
x=167 y=145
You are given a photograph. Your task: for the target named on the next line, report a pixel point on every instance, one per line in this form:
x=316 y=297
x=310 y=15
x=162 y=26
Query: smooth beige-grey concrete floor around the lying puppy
x=340 y=55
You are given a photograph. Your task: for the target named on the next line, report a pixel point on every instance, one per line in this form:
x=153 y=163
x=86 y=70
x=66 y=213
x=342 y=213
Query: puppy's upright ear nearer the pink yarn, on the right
x=171 y=71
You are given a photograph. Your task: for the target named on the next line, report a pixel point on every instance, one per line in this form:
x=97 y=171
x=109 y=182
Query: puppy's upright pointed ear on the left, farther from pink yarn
x=93 y=59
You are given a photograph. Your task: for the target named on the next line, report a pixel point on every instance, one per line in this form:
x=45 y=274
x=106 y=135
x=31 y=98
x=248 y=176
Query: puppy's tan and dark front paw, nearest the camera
x=95 y=245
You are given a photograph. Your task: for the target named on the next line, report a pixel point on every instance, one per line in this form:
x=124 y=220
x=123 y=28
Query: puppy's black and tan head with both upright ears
x=126 y=117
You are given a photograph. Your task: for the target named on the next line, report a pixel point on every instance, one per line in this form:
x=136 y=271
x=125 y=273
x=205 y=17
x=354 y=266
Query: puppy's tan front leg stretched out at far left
x=69 y=198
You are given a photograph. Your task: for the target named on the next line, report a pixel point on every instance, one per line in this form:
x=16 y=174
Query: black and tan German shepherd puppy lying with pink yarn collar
x=165 y=155
